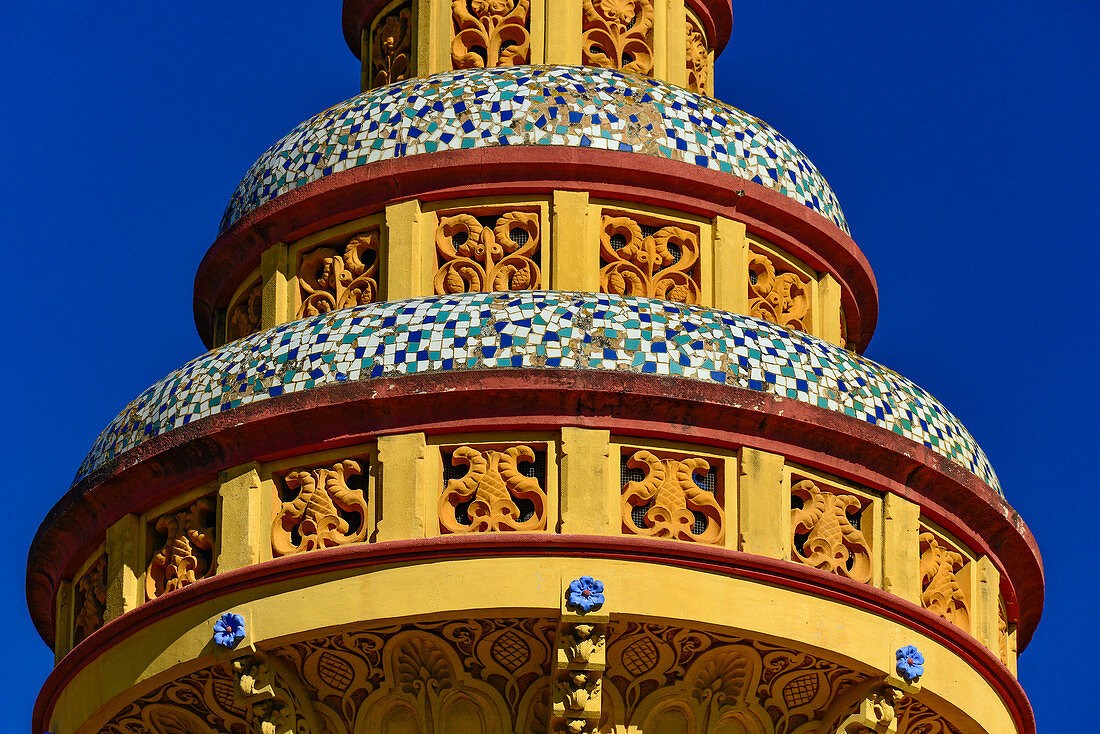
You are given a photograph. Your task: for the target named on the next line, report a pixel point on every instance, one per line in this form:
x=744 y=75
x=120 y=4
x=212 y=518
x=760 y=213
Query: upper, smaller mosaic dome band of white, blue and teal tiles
x=564 y=106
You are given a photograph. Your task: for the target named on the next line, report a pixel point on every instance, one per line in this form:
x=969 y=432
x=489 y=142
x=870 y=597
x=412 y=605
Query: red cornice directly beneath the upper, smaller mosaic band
x=537 y=170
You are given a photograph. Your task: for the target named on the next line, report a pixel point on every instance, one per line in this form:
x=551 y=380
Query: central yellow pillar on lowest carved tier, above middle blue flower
x=587 y=485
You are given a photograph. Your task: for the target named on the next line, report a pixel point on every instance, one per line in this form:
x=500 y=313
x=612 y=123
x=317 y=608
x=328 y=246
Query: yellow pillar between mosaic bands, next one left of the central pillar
x=404 y=250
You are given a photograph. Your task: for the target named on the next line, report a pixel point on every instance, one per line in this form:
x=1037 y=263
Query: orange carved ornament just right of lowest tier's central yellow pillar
x=673 y=496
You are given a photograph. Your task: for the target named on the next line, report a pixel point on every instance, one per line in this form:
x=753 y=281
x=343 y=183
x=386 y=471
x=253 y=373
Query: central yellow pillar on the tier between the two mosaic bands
x=575 y=256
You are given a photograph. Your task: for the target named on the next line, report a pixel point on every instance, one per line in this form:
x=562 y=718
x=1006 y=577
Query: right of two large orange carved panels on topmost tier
x=619 y=35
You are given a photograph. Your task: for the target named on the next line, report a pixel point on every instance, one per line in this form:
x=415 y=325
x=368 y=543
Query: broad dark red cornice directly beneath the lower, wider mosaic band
x=531 y=400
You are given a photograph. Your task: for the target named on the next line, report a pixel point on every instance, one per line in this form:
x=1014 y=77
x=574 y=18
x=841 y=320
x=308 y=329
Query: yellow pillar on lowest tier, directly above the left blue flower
x=244 y=527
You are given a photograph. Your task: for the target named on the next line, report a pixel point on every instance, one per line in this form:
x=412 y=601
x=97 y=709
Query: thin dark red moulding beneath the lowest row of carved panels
x=702 y=558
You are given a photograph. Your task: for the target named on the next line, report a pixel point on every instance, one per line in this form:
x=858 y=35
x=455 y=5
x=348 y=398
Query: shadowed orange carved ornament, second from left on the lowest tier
x=186 y=554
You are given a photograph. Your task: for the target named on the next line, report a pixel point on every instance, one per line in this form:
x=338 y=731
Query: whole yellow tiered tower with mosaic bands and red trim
x=492 y=336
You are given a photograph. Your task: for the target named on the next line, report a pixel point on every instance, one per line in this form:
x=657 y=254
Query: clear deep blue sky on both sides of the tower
x=961 y=139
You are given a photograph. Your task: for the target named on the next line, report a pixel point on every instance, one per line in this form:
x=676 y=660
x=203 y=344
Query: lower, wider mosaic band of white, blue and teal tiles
x=545 y=331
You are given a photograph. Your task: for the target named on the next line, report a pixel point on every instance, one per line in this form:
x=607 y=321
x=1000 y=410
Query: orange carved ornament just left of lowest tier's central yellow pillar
x=490 y=491
